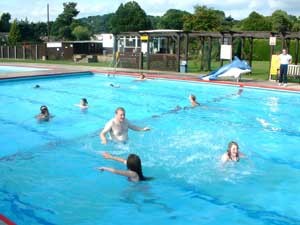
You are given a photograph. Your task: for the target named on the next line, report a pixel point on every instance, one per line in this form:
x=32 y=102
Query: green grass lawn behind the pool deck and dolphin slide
x=260 y=69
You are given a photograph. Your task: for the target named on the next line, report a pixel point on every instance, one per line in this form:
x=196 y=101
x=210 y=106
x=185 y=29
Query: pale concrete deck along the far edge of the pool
x=58 y=69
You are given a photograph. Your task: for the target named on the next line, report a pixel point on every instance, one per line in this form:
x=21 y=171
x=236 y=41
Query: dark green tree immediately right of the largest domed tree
x=172 y=19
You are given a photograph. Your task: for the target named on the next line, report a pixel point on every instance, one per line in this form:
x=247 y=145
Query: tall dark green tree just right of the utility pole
x=61 y=28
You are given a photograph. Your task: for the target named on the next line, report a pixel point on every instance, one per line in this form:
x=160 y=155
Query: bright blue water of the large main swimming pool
x=48 y=173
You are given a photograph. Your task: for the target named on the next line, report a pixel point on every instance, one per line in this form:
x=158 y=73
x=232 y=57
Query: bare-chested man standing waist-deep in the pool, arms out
x=118 y=127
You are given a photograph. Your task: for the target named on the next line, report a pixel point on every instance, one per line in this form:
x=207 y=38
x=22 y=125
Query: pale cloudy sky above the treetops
x=36 y=10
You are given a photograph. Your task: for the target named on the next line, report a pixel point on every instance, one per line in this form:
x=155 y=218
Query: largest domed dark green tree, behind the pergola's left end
x=129 y=17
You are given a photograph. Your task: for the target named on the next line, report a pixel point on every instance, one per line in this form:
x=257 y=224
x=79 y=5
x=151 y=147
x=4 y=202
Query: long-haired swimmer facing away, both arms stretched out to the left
x=134 y=167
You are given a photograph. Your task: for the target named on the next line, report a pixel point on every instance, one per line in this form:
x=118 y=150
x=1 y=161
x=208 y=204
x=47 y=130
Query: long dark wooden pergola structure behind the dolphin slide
x=177 y=46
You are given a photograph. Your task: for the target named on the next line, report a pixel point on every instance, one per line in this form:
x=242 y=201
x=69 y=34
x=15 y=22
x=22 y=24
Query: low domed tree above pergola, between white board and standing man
x=256 y=22
